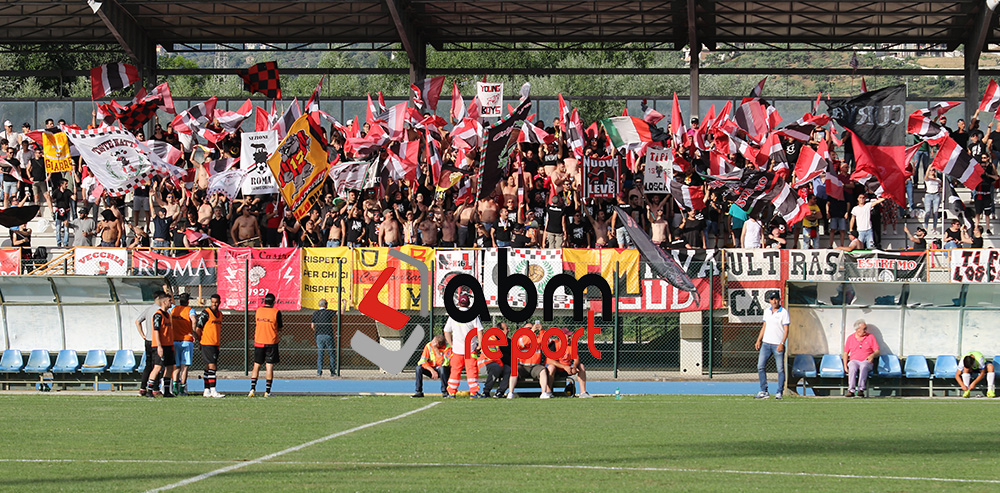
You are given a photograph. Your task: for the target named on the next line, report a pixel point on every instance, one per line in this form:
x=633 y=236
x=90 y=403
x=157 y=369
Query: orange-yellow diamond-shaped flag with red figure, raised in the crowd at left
x=299 y=166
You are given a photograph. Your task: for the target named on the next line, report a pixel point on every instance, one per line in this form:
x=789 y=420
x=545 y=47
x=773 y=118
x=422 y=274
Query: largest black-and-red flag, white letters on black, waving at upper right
x=878 y=119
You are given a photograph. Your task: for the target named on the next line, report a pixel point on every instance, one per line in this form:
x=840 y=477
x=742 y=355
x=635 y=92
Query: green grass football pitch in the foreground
x=126 y=443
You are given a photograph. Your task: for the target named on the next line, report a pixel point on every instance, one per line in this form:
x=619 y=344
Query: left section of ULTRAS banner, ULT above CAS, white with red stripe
x=751 y=275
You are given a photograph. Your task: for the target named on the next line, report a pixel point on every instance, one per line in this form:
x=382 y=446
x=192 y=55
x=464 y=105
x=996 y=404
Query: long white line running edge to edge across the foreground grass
x=536 y=466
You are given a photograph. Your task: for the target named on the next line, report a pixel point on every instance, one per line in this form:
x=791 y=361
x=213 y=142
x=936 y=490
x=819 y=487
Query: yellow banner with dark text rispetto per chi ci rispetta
x=320 y=271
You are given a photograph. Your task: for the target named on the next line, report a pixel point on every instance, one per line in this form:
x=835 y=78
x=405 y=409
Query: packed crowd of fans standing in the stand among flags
x=537 y=204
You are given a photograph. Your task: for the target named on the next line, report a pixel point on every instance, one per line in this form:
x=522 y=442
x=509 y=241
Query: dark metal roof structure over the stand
x=205 y=25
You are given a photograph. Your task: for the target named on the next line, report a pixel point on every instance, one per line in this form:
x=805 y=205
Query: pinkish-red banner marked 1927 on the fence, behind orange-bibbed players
x=272 y=270
